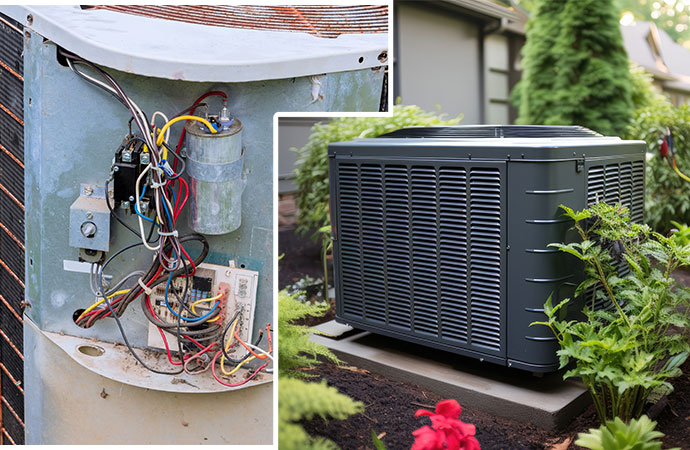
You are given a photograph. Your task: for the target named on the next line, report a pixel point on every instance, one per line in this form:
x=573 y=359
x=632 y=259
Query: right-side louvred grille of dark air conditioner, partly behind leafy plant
x=617 y=183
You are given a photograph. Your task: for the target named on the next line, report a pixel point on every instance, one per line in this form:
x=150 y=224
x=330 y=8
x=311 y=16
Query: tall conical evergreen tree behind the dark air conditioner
x=575 y=68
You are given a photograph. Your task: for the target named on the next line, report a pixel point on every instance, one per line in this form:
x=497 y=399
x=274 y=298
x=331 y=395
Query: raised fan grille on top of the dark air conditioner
x=490 y=131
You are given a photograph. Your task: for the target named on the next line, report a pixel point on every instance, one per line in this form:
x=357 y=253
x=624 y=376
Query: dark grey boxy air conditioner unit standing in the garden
x=441 y=234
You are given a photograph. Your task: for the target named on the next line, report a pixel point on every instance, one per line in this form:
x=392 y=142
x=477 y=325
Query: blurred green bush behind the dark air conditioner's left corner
x=312 y=161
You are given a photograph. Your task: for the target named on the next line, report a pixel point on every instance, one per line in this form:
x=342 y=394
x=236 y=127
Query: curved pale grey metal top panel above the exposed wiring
x=191 y=51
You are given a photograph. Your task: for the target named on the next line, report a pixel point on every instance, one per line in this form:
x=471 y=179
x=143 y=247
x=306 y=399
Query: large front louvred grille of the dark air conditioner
x=420 y=250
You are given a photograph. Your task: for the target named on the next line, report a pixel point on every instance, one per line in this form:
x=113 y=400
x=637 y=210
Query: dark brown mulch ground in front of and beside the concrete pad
x=390 y=407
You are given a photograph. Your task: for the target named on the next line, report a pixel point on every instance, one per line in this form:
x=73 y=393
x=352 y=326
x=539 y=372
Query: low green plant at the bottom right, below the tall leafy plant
x=639 y=434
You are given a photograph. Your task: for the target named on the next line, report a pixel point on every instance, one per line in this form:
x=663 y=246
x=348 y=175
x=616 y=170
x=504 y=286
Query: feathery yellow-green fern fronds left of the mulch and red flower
x=297 y=399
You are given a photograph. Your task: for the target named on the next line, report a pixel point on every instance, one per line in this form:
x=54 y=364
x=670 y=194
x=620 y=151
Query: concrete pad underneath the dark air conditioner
x=546 y=401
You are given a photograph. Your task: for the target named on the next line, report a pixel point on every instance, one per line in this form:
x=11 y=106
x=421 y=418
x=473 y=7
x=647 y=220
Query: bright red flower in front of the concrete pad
x=447 y=432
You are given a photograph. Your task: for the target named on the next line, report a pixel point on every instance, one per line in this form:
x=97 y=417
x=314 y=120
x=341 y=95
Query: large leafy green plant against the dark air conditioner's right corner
x=637 y=343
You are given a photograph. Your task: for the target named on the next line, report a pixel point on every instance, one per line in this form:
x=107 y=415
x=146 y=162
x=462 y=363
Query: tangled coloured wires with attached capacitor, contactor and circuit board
x=200 y=314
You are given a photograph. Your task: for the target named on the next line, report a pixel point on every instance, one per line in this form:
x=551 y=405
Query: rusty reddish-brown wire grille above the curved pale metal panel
x=322 y=21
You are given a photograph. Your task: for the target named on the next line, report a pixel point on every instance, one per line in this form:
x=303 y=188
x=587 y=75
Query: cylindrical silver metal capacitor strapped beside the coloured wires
x=215 y=169
